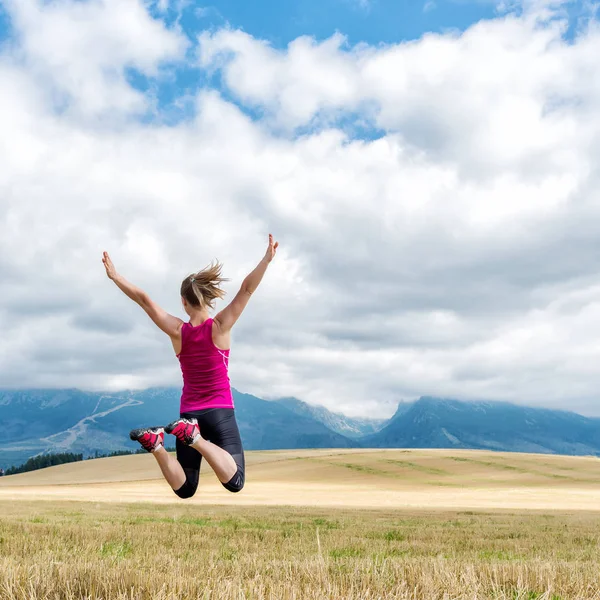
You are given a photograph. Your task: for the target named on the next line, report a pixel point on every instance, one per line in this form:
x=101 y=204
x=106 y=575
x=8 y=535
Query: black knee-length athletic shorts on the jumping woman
x=217 y=425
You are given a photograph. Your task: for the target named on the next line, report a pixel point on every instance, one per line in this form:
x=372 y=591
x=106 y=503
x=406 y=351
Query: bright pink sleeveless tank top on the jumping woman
x=205 y=370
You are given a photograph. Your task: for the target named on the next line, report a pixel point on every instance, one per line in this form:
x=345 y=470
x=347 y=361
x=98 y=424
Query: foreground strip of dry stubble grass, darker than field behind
x=86 y=551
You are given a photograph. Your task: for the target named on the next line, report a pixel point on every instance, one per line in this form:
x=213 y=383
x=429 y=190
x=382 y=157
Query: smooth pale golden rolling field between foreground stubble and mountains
x=340 y=478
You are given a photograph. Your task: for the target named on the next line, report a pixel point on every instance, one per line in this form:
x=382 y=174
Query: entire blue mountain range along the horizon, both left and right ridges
x=38 y=421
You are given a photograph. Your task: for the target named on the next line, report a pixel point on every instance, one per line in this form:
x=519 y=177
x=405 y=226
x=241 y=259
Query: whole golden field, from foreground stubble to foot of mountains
x=310 y=525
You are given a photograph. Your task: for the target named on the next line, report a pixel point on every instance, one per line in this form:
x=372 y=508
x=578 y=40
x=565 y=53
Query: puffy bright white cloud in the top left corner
x=80 y=51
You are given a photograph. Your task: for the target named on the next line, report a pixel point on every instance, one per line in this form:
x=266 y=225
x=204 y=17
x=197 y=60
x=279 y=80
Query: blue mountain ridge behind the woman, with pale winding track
x=38 y=421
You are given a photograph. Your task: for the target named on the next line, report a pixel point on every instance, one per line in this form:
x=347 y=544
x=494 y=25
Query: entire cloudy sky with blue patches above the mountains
x=430 y=170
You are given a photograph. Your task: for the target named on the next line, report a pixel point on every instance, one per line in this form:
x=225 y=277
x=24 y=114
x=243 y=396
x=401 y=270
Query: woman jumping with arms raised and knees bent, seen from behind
x=207 y=426
